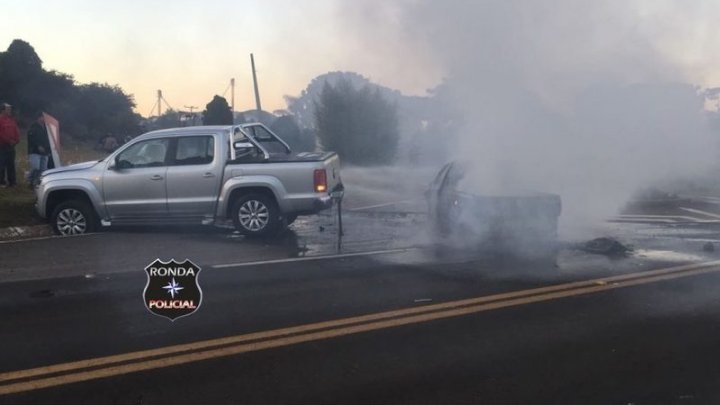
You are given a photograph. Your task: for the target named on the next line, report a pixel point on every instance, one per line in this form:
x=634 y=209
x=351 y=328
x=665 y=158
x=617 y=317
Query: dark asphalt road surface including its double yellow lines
x=375 y=317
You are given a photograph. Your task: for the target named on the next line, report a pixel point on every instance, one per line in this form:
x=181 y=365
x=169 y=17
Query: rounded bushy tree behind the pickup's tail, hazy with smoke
x=359 y=124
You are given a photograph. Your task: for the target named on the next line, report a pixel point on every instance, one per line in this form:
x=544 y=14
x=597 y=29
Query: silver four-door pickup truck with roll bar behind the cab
x=193 y=175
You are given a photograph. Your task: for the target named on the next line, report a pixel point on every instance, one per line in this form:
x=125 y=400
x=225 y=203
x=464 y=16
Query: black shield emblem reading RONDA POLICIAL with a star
x=172 y=288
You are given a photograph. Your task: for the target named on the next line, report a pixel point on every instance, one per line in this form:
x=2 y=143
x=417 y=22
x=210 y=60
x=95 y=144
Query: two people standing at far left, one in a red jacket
x=38 y=147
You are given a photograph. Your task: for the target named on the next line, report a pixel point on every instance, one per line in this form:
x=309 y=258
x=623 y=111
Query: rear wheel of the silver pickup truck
x=256 y=215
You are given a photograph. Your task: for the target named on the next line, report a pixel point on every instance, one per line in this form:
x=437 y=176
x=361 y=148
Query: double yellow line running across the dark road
x=288 y=336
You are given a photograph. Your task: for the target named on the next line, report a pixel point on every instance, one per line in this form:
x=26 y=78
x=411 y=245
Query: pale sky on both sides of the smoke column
x=191 y=49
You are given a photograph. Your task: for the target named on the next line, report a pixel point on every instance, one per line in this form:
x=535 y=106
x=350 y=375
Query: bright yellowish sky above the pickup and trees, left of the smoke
x=191 y=49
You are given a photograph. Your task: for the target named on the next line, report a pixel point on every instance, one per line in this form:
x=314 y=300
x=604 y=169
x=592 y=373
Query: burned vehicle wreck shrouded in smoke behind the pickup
x=467 y=215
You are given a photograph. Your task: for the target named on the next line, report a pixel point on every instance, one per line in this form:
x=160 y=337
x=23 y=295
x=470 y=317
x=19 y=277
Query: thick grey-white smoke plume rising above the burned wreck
x=576 y=97
